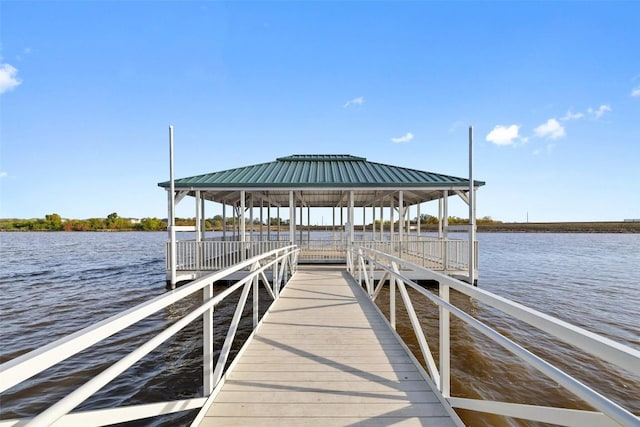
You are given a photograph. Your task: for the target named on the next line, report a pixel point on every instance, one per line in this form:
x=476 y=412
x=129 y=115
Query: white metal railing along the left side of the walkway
x=281 y=261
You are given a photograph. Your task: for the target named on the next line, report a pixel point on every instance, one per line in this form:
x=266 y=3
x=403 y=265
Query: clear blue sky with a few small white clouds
x=88 y=89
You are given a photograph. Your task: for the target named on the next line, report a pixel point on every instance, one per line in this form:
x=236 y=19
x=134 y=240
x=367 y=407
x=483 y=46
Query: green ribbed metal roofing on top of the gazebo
x=321 y=171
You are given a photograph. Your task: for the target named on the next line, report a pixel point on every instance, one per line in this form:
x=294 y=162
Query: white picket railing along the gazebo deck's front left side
x=209 y=255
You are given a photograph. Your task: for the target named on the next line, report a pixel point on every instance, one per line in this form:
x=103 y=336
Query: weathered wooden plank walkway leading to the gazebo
x=323 y=356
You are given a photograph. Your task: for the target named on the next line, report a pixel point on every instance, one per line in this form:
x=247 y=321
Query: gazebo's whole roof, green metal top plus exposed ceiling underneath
x=321 y=181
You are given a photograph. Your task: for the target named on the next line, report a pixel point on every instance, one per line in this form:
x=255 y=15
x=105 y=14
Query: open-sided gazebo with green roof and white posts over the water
x=358 y=192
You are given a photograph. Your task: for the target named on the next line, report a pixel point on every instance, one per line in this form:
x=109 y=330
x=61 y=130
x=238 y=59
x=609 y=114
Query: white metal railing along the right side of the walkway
x=362 y=262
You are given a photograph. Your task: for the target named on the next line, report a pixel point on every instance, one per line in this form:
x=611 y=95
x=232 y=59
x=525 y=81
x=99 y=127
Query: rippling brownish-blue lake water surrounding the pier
x=53 y=284
